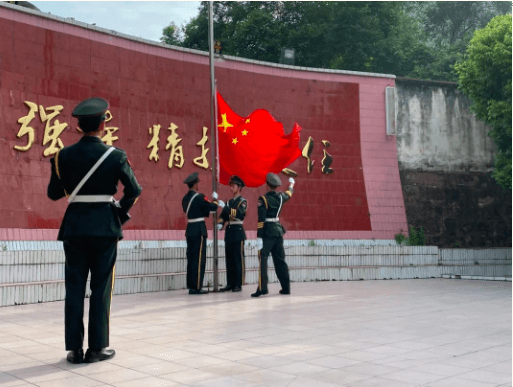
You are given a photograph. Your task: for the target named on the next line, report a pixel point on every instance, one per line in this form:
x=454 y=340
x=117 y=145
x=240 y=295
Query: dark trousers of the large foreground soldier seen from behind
x=98 y=256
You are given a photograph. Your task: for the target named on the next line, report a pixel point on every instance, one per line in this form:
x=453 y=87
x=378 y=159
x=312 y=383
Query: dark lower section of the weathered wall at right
x=457 y=209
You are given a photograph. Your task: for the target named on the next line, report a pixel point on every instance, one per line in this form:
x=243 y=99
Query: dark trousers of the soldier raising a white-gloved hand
x=274 y=246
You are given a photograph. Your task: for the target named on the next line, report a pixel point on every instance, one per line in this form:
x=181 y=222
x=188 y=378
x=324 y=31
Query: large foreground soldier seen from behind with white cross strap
x=91 y=227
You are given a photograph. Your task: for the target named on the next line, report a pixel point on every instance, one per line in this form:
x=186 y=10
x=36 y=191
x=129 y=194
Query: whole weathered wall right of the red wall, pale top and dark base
x=445 y=162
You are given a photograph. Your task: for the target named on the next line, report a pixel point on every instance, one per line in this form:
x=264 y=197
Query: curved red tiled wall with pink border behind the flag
x=51 y=63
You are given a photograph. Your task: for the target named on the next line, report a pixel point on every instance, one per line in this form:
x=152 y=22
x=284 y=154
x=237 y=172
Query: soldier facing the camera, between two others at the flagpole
x=233 y=214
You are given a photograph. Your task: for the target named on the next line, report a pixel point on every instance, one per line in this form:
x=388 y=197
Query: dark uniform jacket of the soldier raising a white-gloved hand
x=268 y=208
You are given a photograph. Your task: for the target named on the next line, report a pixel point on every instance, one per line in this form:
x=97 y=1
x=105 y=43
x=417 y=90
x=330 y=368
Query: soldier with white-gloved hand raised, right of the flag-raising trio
x=270 y=234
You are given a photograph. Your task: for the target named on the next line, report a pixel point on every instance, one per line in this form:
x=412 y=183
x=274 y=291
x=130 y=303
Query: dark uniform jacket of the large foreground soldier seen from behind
x=70 y=165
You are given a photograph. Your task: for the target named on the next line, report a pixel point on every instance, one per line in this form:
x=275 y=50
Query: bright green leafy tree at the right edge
x=485 y=76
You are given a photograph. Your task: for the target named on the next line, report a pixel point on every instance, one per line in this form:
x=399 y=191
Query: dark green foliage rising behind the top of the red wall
x=413 y=39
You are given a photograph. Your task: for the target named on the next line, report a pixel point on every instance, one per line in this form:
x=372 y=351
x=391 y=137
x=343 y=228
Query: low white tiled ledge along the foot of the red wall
x=31 y=276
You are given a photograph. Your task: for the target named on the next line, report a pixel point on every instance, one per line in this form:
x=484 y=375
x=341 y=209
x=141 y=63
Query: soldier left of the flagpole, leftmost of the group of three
x=196 y=208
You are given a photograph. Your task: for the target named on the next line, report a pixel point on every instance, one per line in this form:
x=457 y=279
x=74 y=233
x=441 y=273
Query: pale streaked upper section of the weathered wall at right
x=436 y=131
